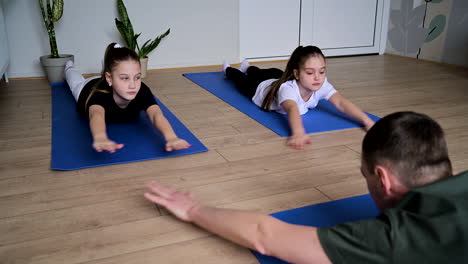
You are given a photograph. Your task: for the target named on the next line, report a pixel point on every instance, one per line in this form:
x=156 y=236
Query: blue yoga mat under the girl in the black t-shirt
x=72 y=141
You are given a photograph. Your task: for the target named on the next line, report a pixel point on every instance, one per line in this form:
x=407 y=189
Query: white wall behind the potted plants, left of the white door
x=203 y=32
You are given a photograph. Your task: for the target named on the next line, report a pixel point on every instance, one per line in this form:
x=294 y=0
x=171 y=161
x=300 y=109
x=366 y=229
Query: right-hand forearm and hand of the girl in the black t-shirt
x=160 y=123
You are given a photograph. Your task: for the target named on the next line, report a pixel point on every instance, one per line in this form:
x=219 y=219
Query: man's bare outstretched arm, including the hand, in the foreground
x=263 y=233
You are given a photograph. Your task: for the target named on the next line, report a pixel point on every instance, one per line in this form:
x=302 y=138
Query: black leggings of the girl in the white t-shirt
x=247 y=83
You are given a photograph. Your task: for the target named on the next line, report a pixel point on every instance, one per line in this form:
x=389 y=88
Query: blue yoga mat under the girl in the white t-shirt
x=325 y=117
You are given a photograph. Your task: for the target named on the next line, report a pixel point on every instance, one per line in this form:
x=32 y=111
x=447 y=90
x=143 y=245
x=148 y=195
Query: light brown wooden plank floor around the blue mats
x=98 y=215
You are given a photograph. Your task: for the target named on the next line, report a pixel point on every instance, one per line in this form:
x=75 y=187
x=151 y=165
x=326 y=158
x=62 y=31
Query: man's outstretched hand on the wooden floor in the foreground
x=178 y=203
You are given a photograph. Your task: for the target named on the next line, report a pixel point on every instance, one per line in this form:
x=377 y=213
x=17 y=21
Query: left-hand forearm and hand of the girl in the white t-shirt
x=298 y=138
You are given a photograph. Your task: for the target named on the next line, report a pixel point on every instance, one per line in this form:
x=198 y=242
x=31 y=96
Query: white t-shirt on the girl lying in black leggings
x=290 y=91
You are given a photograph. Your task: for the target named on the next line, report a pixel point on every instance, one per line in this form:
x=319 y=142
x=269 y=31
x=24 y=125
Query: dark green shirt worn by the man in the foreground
x=429 y=225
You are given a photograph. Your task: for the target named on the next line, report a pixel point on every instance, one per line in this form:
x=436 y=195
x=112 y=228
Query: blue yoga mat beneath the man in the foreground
x=325 y=214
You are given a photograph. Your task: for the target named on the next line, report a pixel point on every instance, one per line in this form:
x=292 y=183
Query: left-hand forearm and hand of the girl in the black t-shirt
x=97 y=125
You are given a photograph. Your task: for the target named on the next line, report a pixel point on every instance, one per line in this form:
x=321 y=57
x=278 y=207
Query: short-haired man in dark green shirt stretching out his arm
x=409 y=175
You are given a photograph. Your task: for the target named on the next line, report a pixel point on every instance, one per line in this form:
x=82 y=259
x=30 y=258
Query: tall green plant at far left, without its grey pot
x=53 y=14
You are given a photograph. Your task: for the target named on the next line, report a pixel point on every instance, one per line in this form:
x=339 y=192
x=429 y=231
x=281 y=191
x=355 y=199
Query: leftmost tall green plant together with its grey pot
x=53 y=63
